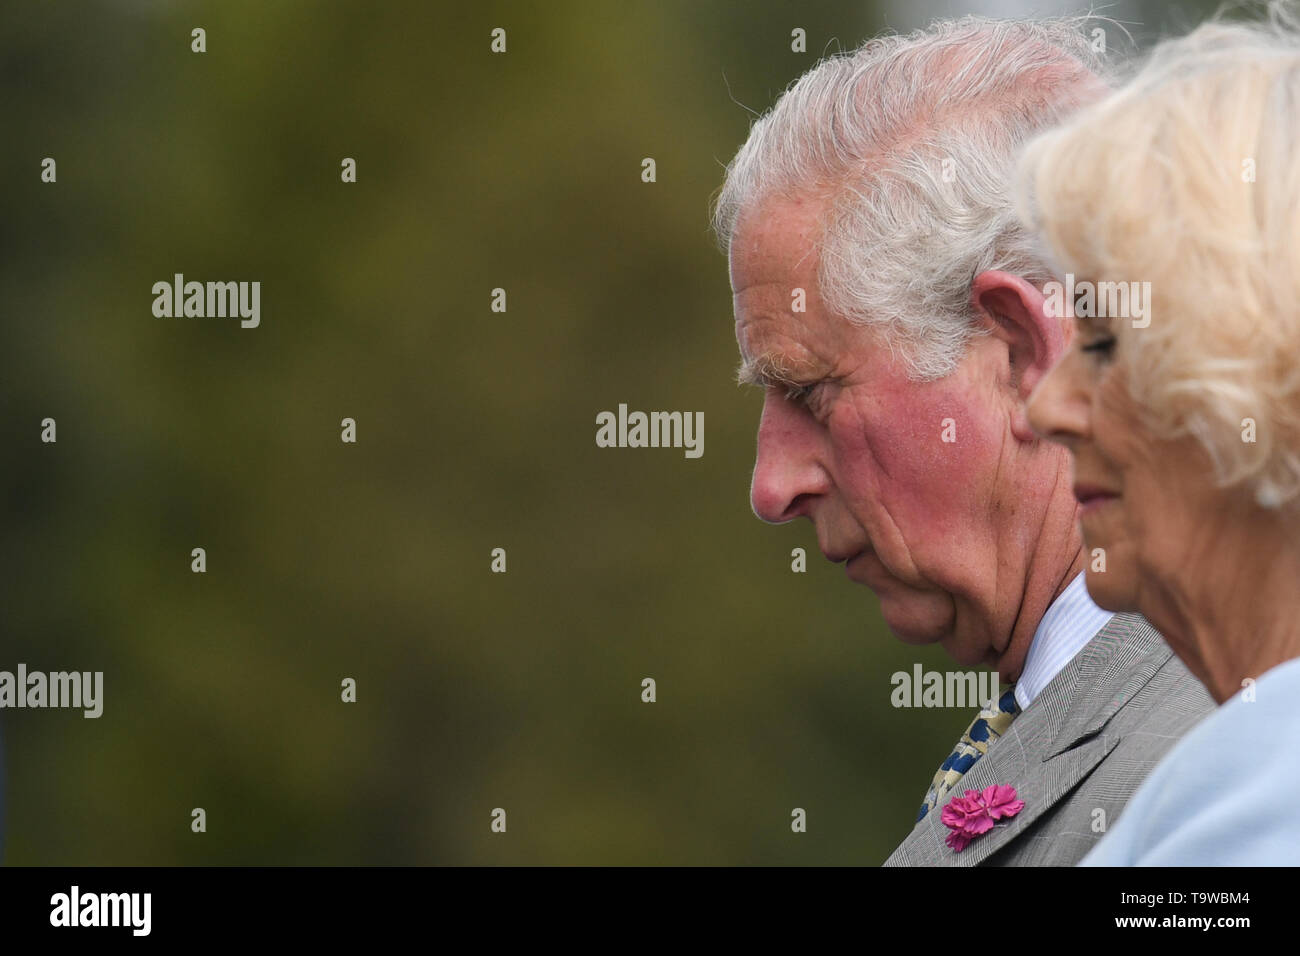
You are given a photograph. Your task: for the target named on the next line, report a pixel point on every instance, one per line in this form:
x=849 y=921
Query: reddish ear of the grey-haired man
x=1013 y=310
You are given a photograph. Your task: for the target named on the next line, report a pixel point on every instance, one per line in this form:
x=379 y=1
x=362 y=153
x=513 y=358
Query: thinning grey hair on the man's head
x=912 y=144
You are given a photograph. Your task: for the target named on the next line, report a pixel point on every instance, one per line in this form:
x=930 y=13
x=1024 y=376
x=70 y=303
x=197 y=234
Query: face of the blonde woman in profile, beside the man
x=1146 y=508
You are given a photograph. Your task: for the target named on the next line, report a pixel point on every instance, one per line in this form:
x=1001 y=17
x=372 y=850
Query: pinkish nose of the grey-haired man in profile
x=788 y=475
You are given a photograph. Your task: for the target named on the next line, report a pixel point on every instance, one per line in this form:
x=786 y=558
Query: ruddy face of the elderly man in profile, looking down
x=942 y=531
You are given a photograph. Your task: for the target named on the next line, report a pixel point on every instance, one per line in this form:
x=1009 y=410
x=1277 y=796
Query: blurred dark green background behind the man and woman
x=475 y=431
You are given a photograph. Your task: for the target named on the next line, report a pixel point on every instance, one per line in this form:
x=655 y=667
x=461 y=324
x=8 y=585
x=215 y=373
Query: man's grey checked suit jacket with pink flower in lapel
x=1085 y=745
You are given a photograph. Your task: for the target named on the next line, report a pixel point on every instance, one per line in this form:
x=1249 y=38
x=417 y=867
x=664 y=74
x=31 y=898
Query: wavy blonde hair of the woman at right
x=1189 y=178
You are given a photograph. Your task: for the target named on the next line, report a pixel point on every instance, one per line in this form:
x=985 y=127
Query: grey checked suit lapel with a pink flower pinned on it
x=1054 y=745
